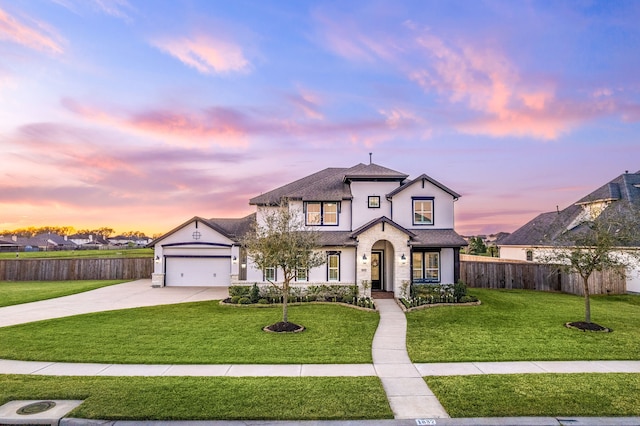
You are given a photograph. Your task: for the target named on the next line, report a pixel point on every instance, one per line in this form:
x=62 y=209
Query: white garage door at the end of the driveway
x=198 y=271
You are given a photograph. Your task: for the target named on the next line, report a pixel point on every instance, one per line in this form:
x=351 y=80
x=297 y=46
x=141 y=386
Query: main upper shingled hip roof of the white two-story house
x=330 y=184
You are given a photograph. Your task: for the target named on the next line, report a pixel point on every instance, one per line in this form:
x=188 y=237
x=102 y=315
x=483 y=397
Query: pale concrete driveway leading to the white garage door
x=133 y=294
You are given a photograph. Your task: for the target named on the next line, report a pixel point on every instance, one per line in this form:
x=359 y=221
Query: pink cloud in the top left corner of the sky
x=37 y=36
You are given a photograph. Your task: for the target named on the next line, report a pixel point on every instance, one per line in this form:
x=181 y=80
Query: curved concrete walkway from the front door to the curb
x=408 y=394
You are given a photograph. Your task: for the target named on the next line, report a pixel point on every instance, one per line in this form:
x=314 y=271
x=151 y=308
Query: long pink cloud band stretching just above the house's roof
x=231 y=128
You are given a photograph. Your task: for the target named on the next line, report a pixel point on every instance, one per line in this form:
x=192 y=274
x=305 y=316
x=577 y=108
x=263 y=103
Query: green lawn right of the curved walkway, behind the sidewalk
x=513 y=325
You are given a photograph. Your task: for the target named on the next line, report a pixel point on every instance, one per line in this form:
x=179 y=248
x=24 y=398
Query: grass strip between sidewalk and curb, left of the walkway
x=207 y=398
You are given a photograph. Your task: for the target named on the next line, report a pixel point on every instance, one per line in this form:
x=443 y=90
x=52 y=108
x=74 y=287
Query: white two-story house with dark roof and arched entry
x=375 y=226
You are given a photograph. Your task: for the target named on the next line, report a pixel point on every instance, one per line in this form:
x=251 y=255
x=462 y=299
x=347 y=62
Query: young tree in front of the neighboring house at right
x=608 y=238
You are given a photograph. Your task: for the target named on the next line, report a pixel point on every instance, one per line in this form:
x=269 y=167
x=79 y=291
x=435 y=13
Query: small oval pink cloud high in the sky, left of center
x=205 y=53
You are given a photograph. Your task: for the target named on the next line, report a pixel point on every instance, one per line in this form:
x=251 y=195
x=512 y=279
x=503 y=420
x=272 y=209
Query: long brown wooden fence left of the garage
x=75 y=269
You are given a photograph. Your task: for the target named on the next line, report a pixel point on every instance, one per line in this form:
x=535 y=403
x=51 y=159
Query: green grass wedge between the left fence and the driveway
x=17 y=292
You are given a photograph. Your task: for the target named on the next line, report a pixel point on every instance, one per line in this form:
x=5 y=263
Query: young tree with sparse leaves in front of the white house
x=283 y=241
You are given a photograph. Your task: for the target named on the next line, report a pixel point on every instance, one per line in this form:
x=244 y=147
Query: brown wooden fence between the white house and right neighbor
x=536 y=276
